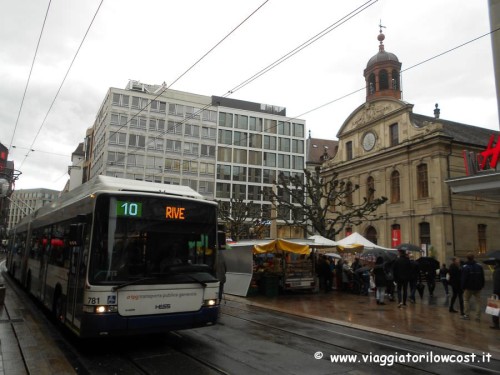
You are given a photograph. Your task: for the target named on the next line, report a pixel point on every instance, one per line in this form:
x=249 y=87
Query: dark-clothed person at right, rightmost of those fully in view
x=472 y=284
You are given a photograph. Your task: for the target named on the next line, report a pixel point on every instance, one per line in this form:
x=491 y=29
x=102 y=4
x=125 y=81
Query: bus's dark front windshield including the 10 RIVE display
x=137 y=237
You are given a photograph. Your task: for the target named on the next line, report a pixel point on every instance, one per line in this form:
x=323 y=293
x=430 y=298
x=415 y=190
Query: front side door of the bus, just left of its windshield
x=76 y=275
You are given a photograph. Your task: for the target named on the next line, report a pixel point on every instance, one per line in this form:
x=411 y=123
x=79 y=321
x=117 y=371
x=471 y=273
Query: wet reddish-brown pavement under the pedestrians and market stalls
x=427 y=321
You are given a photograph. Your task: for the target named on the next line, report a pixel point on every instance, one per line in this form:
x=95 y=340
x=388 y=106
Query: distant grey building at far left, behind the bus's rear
x=25 y=201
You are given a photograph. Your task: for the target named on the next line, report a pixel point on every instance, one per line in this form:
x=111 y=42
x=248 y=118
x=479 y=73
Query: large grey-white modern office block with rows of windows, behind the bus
x=223 y=148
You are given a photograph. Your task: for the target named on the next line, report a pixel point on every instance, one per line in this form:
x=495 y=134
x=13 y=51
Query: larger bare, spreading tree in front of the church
x=320 y=205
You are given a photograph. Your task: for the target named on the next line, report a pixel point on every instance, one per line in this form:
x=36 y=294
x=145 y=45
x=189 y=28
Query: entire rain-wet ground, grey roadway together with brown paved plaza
x=294 y=334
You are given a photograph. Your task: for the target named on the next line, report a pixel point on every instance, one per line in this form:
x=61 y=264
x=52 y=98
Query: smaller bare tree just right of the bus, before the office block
x=238 y=216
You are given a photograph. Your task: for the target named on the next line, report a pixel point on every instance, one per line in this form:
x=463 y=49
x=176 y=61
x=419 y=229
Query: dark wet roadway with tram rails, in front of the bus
x=252 y=340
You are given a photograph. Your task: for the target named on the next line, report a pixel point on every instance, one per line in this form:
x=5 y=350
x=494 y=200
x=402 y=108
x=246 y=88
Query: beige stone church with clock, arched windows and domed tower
x=407 y=157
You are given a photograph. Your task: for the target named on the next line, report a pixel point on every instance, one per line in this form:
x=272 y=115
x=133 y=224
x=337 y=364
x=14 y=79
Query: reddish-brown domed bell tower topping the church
x=382 y=74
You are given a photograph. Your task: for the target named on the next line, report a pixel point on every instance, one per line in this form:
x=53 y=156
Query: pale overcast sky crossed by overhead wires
x=156 y=41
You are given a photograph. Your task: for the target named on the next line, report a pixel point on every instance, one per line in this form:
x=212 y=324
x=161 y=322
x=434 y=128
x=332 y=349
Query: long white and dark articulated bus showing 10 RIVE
x=121 y=257
